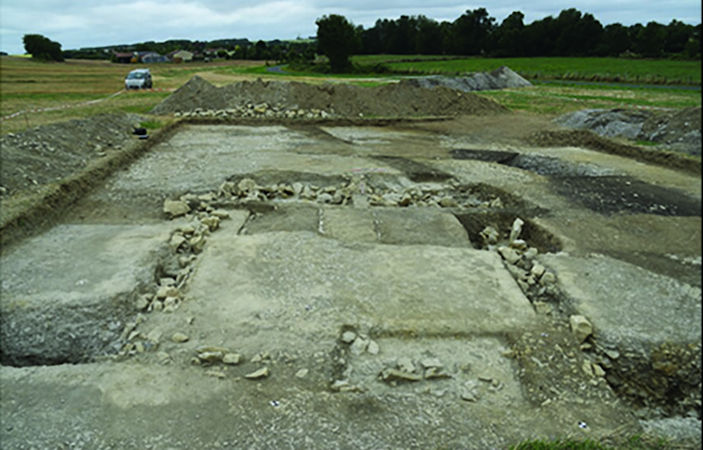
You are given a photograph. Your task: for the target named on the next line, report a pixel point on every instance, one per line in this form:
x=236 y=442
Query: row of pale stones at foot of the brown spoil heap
x=262 y=110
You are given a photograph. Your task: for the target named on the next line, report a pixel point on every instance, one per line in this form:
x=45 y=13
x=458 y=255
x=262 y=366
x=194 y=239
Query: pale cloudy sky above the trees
x=95 y=23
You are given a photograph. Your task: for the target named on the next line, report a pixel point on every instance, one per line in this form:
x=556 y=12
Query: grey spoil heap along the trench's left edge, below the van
x=49 y=153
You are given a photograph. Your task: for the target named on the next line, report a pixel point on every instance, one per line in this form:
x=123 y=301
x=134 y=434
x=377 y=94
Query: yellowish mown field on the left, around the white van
x=28 y=85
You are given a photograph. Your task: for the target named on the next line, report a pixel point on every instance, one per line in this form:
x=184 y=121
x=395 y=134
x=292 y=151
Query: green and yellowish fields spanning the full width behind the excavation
x=47 y=92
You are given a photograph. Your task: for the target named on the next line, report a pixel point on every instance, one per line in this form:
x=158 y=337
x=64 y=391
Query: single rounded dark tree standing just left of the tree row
x=338 y=39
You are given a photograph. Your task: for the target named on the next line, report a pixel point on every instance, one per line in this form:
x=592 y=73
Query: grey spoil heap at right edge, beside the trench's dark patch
x=676 y=130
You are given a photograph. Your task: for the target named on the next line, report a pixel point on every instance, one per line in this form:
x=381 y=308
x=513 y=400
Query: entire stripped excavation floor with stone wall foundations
x=433 y=285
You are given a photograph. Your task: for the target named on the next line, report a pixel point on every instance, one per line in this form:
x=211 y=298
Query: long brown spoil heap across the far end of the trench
x=404 y=99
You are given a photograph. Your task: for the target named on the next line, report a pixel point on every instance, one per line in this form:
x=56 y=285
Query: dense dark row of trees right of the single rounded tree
x=571 y=33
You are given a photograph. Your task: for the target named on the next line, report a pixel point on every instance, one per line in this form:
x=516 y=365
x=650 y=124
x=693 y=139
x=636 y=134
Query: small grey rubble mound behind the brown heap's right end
x=500 y=78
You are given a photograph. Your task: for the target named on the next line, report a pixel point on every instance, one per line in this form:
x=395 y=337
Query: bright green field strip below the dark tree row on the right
x=645 y=71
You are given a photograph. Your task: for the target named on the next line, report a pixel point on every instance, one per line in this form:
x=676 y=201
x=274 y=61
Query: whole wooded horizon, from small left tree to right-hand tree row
x=571 y=33
